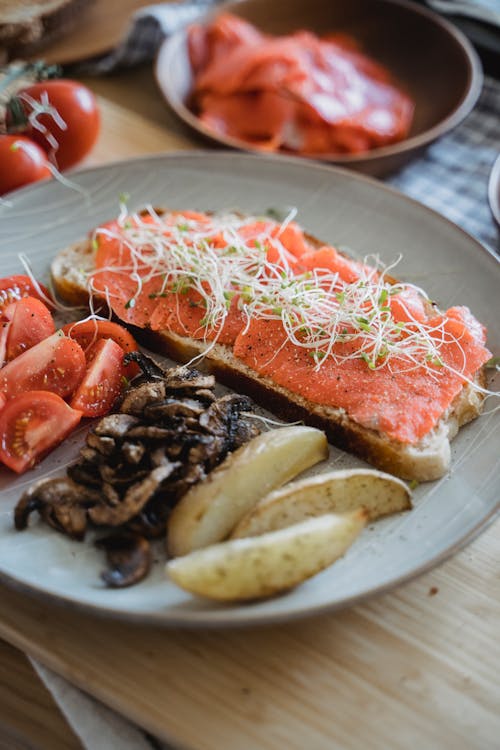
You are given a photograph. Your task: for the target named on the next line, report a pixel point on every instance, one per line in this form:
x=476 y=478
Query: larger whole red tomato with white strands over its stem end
x=68 y=135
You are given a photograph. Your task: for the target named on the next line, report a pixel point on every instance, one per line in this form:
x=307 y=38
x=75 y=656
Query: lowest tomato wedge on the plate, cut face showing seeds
x=31 y=425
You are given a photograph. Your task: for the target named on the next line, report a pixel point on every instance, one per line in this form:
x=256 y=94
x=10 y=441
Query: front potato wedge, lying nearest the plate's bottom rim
x=265 y=565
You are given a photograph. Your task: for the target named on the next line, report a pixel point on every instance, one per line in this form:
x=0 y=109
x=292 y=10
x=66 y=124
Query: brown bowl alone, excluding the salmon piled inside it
x=432 y=60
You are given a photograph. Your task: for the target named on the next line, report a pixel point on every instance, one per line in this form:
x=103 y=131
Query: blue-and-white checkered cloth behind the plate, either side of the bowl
x=451 y=177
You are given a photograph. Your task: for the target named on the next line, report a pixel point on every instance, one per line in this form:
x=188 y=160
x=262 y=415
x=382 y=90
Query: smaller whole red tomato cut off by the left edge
x=21 y=162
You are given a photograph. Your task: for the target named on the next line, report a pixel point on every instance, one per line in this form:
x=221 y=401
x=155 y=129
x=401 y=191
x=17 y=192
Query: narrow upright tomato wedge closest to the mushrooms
x=103 y=380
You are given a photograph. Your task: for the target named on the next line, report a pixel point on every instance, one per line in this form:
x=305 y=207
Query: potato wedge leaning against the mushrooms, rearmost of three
x=211 y=509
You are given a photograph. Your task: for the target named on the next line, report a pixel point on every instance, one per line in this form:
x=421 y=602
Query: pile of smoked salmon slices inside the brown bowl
x=297 y=93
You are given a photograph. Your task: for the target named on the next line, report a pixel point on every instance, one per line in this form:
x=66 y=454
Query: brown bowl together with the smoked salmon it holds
x=348 y=83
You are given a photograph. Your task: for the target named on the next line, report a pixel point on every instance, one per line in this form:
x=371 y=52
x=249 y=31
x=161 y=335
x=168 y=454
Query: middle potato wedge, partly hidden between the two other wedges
x=333 y=492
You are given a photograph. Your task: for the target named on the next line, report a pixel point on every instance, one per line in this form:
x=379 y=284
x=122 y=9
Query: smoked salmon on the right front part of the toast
x=403 y=402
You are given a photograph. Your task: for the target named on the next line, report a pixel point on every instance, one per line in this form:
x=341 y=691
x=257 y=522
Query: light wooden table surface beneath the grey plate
x=416 y=668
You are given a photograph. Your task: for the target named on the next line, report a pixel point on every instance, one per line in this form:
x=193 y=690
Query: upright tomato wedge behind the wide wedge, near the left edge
x=30 y=323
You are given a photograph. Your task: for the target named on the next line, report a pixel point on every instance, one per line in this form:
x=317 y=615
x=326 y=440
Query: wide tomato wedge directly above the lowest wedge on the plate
x=56 y=364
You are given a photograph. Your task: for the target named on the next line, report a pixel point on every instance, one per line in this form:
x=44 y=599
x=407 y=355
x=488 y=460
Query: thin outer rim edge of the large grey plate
x=224 y=617
